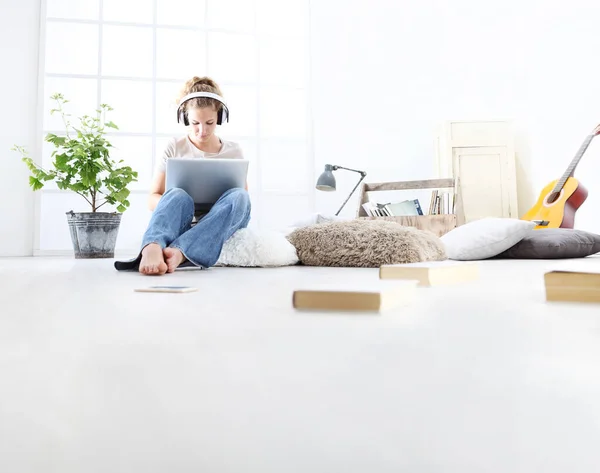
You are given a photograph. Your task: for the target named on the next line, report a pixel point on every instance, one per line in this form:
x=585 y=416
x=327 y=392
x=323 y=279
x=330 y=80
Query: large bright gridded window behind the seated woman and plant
x=136 y=54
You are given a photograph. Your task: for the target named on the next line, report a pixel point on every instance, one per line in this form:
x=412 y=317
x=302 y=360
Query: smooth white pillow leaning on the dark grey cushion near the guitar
x=485 y=238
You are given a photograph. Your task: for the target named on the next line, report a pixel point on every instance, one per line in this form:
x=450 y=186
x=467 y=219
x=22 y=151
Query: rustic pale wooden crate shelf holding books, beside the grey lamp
x=438 y=224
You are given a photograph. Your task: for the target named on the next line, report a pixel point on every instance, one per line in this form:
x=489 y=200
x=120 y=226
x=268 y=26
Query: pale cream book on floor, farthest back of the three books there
x=432 y=273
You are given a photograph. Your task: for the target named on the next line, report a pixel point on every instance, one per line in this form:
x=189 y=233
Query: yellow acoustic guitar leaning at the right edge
x=559 y=200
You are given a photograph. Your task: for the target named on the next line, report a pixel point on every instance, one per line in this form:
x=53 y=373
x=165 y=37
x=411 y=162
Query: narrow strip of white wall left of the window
x=19 y=37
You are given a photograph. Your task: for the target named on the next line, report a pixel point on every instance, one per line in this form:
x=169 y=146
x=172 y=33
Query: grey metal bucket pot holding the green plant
x=94 y=234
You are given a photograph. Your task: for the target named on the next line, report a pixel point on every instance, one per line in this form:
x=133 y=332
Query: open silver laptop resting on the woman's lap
x=206 y=179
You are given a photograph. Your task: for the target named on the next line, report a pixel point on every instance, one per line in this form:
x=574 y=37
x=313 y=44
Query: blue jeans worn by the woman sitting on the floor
x=171 y=226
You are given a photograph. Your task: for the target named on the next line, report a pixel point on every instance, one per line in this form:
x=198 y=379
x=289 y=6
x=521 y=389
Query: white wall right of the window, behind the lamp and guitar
x=384 y=77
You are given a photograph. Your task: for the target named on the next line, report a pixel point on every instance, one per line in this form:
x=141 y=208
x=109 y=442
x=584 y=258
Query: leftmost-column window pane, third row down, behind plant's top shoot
x=82 y=95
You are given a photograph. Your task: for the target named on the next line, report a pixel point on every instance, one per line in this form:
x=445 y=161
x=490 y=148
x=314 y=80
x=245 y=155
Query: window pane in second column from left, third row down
x=132 y=103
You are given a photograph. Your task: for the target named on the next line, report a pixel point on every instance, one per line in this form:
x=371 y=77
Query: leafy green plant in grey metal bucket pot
x=82 y=164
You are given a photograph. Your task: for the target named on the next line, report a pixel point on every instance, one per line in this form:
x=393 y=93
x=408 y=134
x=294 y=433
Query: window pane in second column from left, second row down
x=127 y=51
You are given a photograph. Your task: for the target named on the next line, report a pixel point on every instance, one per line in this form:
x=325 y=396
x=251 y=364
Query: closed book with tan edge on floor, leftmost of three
x=376 y=297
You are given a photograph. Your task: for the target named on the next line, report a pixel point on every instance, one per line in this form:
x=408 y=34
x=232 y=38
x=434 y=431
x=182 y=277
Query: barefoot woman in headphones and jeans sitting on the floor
x=170 y=238
